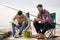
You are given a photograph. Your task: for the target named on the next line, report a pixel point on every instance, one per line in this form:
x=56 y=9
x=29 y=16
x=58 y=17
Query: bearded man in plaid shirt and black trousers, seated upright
x=42 y=21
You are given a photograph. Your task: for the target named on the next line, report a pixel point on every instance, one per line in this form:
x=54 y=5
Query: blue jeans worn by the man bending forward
x=21 y=28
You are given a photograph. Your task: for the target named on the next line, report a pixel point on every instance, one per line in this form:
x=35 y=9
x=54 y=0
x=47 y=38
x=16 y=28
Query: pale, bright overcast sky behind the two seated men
x=6 y=14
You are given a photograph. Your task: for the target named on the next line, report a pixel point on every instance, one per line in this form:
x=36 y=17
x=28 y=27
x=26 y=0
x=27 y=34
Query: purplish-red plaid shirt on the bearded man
x=45 y=16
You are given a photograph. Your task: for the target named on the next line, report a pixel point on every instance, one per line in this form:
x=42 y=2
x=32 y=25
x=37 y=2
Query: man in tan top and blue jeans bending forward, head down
x=22 y=24
